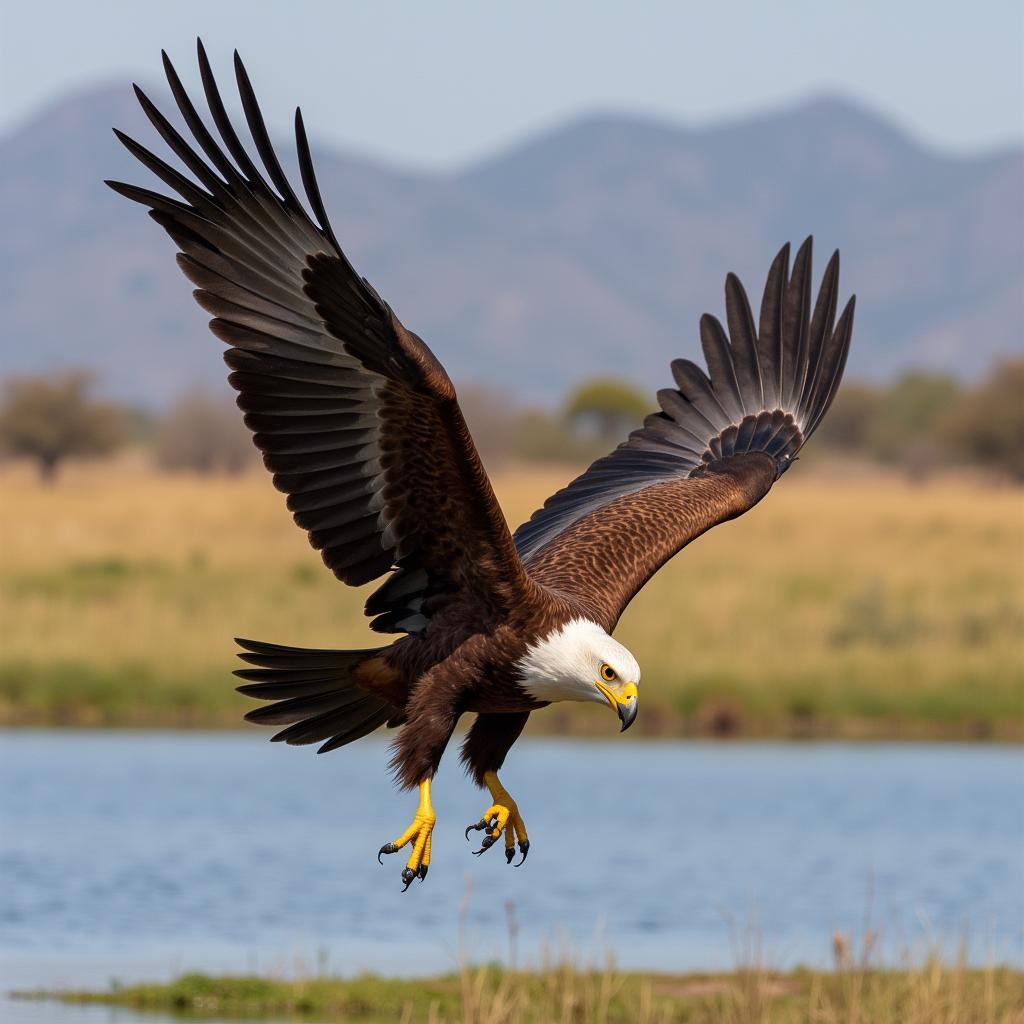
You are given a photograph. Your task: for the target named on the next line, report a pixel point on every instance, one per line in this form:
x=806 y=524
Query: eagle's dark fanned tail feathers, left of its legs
x=315 y=693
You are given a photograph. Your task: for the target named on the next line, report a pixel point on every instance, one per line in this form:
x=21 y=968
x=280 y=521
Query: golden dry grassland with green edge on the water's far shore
x=840 y=607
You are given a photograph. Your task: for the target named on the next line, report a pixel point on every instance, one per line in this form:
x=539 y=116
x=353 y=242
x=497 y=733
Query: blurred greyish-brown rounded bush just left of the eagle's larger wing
x=205 y=435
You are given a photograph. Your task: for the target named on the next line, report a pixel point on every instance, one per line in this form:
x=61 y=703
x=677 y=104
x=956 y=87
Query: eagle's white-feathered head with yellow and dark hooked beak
x=580 y=662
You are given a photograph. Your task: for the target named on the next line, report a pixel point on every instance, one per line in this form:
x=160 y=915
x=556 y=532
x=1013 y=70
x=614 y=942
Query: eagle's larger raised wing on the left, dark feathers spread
x=357 y=420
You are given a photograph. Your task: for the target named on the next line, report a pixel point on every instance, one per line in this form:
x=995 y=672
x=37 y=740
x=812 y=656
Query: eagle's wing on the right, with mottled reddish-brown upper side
x=713 y=452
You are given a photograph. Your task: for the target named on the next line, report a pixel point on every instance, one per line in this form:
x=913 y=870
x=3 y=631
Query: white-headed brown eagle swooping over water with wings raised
x=361 y=429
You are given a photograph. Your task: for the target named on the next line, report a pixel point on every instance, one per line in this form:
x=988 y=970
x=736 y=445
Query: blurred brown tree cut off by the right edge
x=987 y=426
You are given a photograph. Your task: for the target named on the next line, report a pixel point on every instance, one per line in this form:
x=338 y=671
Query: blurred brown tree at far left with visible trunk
x=54 y=418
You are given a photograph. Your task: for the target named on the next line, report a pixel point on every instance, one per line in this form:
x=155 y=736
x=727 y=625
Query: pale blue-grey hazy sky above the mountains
x=441 y=82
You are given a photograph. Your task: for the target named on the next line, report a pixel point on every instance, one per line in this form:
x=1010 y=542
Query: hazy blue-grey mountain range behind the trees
x=591 y=249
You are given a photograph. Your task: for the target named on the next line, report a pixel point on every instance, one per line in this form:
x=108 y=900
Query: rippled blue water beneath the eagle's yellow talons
x=143 y=855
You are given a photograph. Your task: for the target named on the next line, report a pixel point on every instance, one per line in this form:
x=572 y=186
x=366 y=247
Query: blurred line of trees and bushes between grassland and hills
x=920 y=423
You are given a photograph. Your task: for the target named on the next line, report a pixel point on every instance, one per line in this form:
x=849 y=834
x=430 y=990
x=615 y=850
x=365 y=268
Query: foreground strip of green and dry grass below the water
x=927 y=994
